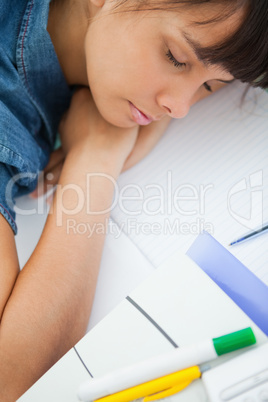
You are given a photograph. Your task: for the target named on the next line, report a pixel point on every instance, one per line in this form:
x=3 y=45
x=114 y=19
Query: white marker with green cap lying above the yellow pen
x=158 y=366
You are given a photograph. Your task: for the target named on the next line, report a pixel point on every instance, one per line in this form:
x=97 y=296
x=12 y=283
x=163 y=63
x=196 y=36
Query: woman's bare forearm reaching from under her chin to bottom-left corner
x=48 y=310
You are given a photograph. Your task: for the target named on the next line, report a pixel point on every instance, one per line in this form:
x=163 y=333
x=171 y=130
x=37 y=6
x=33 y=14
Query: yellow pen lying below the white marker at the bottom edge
x=156 y=389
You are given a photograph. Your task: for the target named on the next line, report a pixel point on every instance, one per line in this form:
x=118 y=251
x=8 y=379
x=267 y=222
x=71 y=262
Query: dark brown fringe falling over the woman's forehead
x=245 y=53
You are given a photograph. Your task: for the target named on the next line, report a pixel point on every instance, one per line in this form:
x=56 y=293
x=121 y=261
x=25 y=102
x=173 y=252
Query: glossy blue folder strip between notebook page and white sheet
x=237 y=281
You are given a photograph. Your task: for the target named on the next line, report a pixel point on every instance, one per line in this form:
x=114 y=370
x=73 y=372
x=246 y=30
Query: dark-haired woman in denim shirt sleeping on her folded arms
x=144 y=62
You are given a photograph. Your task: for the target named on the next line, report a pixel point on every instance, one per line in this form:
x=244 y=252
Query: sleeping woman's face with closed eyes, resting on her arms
x=142 y=65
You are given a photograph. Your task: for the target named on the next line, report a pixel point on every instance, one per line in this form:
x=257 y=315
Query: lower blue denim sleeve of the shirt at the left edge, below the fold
x=21 y=159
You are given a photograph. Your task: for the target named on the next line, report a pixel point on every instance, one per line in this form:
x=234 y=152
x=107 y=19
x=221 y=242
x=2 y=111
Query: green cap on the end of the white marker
x=235 y=340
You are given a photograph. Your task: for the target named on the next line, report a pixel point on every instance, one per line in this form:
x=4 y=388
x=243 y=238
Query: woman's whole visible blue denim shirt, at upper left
x=33 y=97
